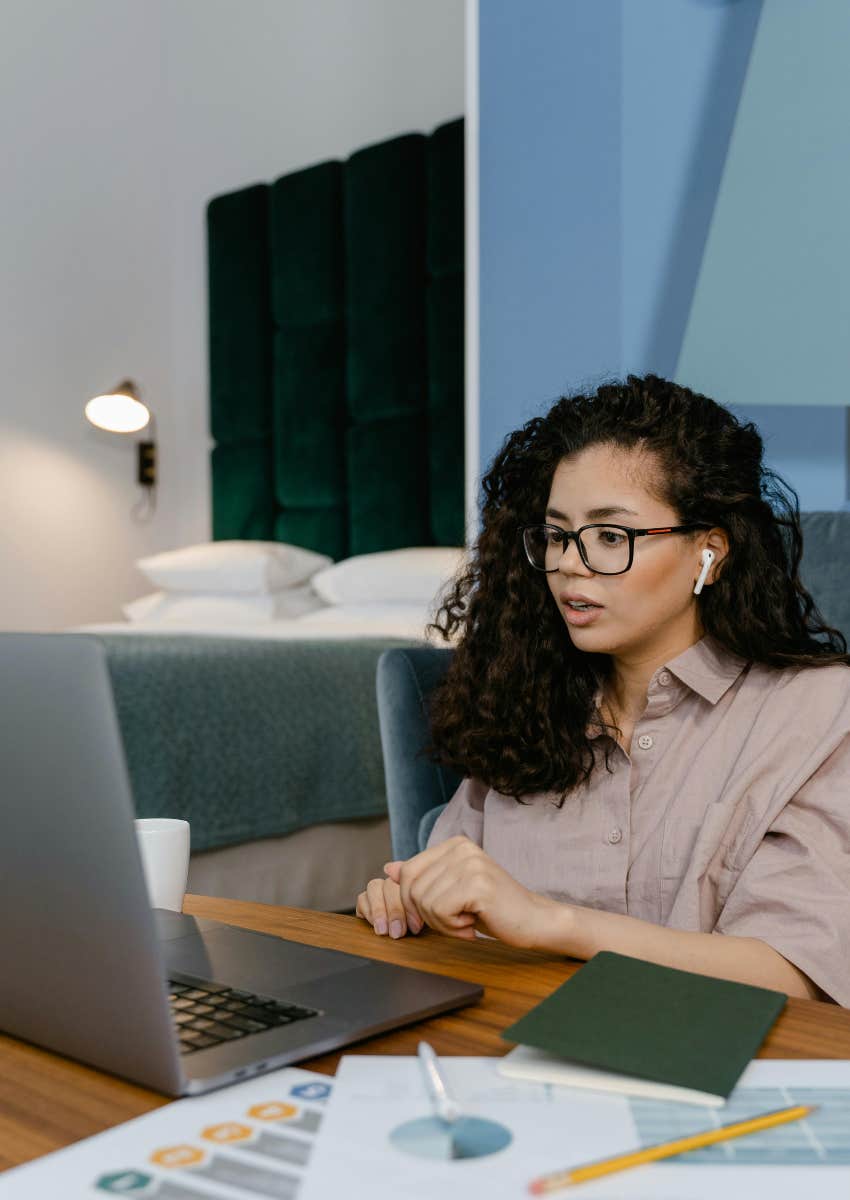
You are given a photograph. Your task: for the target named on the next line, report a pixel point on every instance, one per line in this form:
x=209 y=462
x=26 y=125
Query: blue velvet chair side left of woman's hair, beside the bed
x=417 y=788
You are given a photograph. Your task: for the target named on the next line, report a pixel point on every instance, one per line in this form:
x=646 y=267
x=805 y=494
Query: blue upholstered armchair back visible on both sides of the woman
x=418 y=789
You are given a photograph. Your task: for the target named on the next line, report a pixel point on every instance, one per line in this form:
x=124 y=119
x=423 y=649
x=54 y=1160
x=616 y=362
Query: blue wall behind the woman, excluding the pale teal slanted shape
x=604 y=131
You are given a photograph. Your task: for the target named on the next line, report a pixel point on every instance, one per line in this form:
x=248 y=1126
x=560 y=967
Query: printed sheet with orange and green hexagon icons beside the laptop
x=250 y=1142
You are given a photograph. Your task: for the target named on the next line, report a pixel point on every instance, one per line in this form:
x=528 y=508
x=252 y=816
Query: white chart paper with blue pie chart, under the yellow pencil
x=369 y=1148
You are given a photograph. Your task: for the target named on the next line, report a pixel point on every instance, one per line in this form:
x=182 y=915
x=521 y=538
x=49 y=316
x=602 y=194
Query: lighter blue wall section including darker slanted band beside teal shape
x=684 y=69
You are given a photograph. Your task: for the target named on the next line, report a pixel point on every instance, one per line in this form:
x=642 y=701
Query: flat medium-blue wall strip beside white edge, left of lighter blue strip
x=550 y=231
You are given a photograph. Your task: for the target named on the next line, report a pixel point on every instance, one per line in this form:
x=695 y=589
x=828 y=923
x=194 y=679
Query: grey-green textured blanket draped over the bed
x=249 y=739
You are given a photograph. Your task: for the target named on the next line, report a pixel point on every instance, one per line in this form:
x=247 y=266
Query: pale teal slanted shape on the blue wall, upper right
x=771 y=314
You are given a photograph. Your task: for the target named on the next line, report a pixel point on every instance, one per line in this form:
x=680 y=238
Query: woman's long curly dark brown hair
x=517 y=703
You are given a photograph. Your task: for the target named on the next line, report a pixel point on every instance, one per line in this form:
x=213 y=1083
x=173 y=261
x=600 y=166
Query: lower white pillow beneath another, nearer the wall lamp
x=194 y=609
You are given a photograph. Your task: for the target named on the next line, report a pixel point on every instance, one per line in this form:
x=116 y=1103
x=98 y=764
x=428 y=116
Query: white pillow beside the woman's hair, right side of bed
x=392 y=577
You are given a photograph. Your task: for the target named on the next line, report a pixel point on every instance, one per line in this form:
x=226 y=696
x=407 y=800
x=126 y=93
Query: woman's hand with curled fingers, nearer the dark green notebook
x=458 y=890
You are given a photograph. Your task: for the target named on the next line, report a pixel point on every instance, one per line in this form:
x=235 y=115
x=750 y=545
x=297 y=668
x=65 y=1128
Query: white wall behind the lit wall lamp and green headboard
x=122 y=118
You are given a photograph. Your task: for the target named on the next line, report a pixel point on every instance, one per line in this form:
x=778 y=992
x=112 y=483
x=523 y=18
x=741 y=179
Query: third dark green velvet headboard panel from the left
x=386 y=281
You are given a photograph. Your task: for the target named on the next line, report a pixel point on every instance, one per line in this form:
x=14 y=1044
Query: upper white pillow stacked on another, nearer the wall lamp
x=232 y=567
